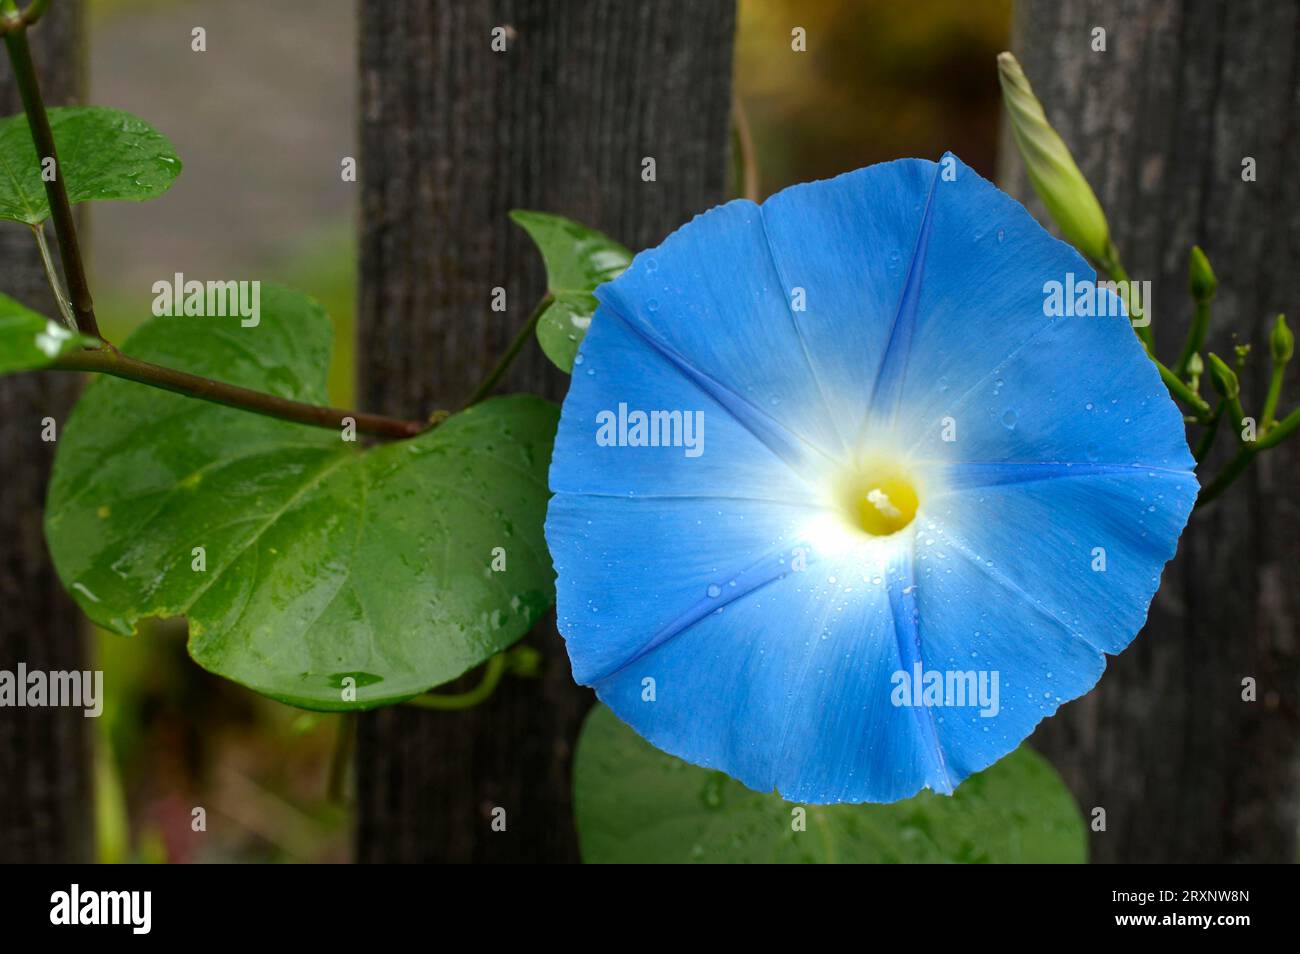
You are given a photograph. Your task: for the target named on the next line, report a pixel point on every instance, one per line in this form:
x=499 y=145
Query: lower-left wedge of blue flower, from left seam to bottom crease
x=782 y=679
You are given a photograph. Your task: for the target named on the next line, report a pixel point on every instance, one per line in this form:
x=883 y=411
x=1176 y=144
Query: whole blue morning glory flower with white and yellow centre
x=855 y=488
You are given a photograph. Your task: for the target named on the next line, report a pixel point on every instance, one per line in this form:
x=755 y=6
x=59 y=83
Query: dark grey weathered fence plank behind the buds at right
x=1160 y=124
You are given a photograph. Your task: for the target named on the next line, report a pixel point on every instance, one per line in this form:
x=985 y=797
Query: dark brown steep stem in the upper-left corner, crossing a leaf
x=60 y=210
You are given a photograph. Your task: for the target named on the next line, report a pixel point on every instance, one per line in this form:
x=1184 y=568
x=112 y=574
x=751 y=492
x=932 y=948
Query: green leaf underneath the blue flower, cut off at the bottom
x=635 y=804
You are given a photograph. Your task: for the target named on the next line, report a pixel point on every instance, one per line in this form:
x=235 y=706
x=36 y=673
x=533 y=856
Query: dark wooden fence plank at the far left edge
x=45 y=771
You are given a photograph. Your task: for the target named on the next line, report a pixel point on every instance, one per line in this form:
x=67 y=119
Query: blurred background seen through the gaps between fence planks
x=262 y=122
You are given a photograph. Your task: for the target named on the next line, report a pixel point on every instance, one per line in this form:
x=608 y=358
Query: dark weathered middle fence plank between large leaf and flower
x=453 y=137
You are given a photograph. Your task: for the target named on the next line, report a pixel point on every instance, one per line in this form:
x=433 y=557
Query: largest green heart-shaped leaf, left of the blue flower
x=323 y=567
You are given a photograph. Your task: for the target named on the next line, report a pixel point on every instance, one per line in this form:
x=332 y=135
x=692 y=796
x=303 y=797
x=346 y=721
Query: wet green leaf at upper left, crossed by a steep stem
x=103 y=154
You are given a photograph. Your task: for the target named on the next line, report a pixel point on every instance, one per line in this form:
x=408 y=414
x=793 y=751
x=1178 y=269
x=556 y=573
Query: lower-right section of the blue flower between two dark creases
x=1037 y=582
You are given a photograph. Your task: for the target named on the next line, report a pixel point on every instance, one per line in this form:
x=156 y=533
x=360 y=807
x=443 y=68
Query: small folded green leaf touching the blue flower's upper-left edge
x=578 y=261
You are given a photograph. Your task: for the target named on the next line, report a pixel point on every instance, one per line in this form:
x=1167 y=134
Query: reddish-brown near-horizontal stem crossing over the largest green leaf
x=111 y=362
